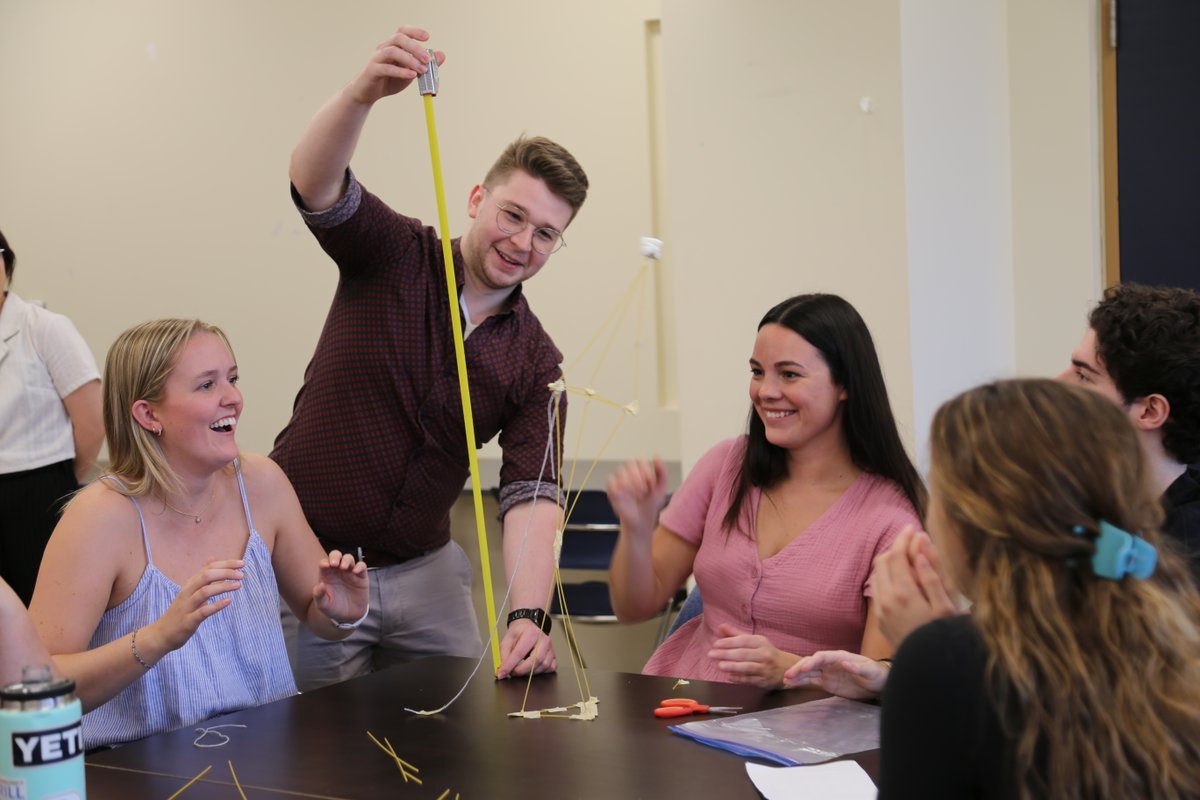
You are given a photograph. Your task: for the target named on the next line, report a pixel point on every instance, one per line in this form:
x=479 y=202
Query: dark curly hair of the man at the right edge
x=1149 y=341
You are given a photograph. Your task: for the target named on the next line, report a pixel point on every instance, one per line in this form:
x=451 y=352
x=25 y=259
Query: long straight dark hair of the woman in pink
x=832 y=326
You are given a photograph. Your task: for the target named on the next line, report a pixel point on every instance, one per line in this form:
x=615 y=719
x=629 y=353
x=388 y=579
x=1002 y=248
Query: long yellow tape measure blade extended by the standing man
x=461 y=358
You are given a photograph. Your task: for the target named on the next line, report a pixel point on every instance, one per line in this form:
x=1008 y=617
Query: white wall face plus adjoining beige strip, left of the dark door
x=1001 y=143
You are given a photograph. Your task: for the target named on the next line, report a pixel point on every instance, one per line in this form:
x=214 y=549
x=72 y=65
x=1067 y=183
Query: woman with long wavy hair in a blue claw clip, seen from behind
x=1078 y=672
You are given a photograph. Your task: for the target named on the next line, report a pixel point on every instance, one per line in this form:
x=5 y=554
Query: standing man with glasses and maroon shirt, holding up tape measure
x=376 y=447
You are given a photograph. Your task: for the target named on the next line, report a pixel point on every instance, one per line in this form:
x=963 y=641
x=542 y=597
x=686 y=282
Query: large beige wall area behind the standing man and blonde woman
x=145 y=170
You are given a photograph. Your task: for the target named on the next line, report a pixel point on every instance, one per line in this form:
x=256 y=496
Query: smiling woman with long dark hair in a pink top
x=779 y=526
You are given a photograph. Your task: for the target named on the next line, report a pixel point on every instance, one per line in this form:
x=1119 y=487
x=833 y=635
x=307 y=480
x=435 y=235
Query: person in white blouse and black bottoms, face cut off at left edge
x=50 y=402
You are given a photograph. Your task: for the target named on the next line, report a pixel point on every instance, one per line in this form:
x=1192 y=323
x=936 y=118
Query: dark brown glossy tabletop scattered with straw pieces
x=316 y=745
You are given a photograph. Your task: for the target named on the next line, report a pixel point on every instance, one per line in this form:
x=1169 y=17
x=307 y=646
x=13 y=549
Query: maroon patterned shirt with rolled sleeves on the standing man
x=376 y=447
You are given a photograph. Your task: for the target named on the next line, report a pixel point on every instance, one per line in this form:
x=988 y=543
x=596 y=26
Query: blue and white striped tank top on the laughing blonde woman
x=237 y=659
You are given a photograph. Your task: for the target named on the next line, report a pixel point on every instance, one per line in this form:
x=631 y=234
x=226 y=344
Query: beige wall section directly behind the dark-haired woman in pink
x=781 y=184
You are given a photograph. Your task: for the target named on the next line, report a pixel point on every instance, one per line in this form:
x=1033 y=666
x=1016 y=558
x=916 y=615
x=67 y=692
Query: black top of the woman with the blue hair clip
x=941 y=737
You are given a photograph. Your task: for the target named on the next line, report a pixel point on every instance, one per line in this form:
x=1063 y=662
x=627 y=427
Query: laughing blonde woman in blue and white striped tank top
x=160 y=588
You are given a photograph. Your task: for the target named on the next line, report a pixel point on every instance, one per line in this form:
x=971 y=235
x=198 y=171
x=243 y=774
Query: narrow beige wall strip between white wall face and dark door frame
x=1058 y=233
